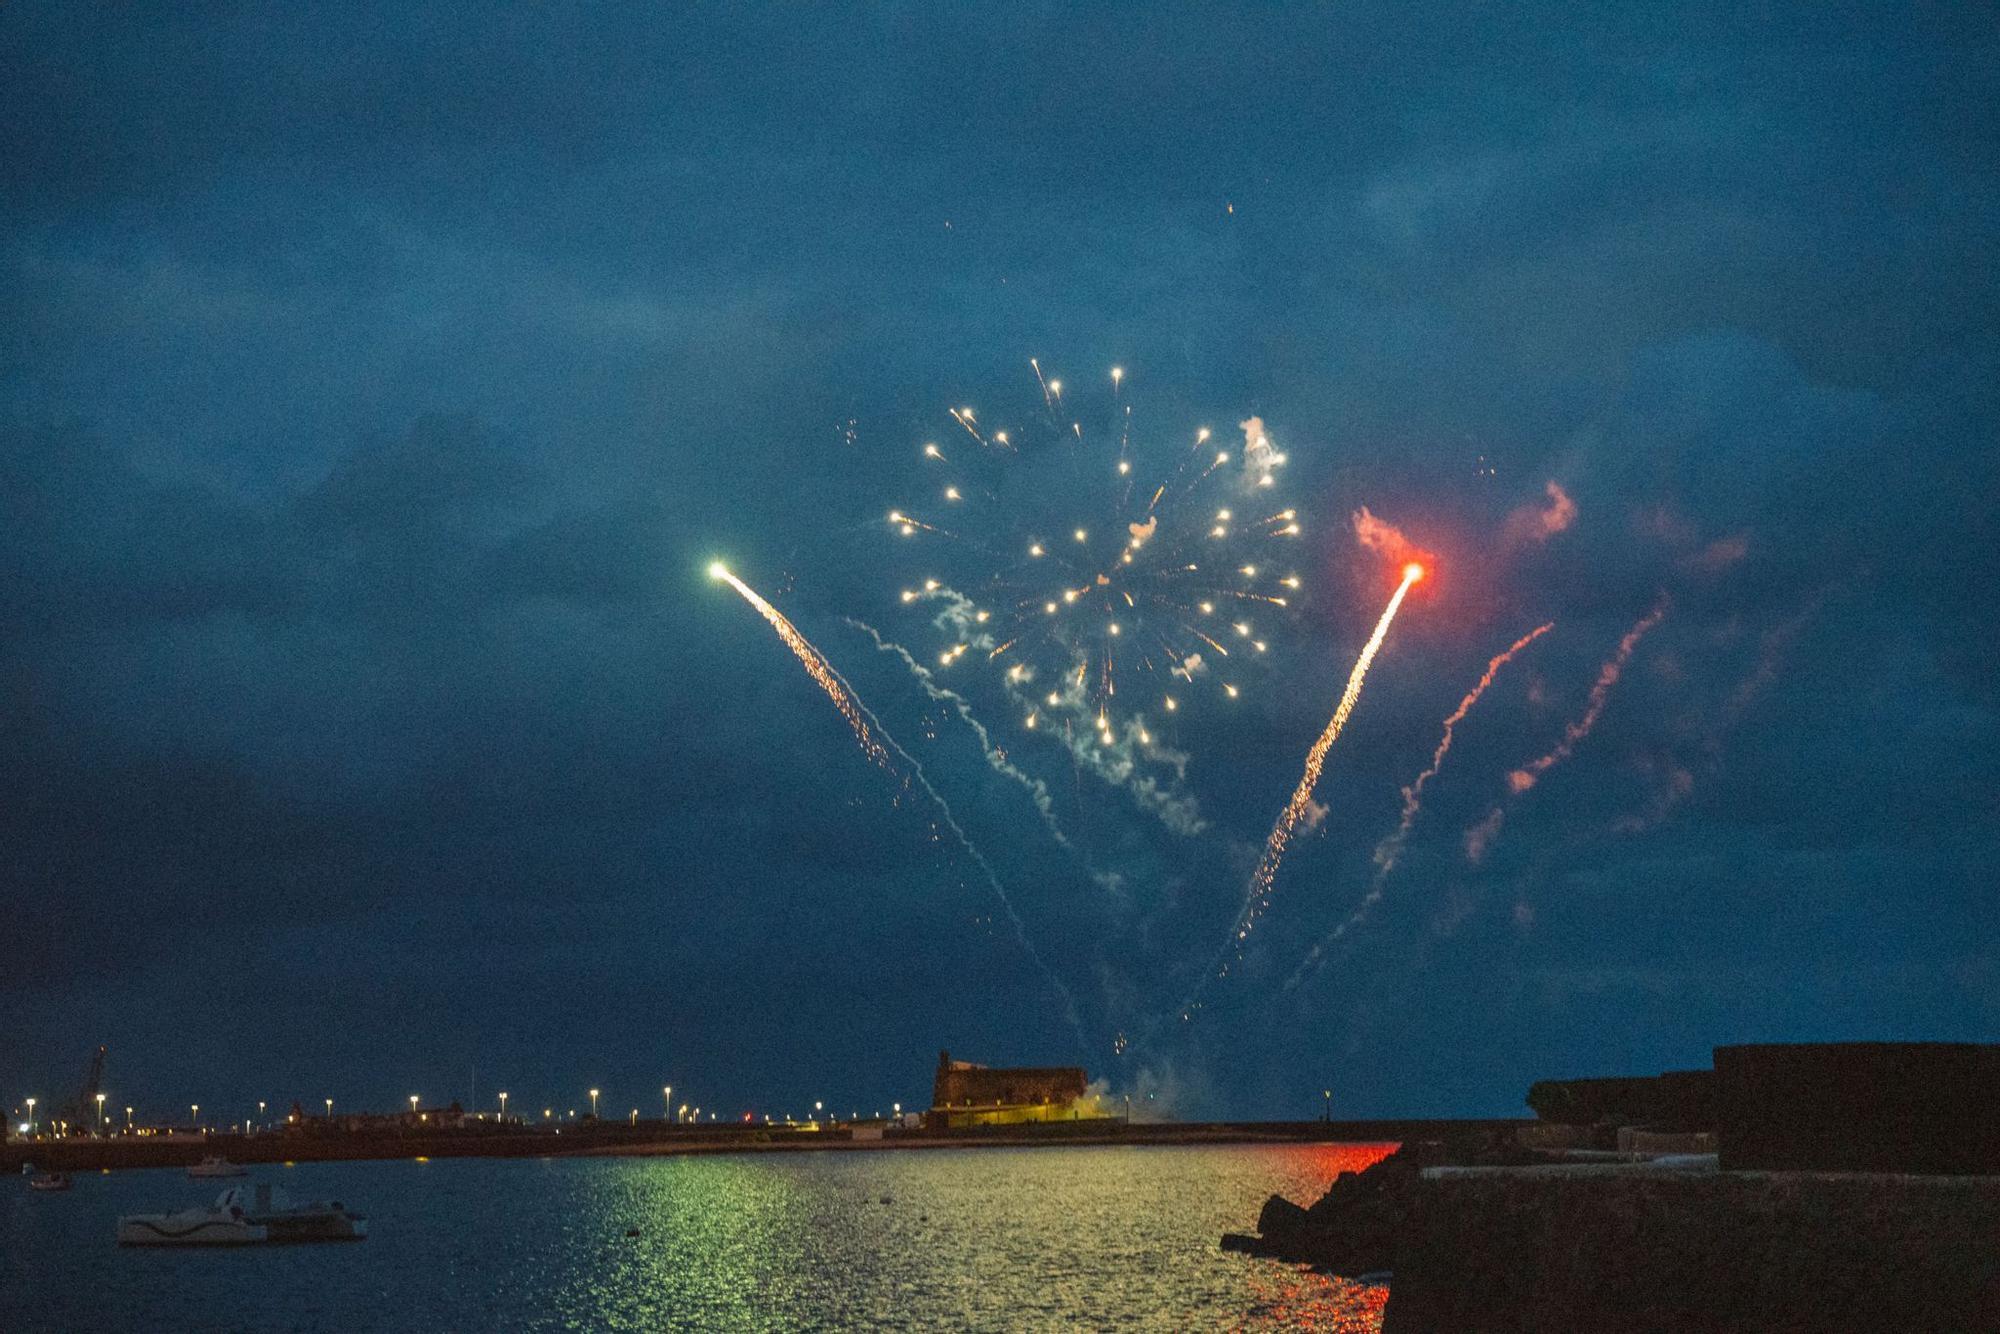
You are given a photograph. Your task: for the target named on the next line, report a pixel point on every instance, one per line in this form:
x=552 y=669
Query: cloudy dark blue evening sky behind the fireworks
x=375 y=389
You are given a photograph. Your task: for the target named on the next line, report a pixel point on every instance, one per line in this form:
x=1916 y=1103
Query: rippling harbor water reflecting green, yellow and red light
x=989 y=1239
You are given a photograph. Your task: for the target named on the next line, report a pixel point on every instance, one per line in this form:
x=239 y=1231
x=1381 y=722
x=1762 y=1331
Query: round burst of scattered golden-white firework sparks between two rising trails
x=1103 y=573
